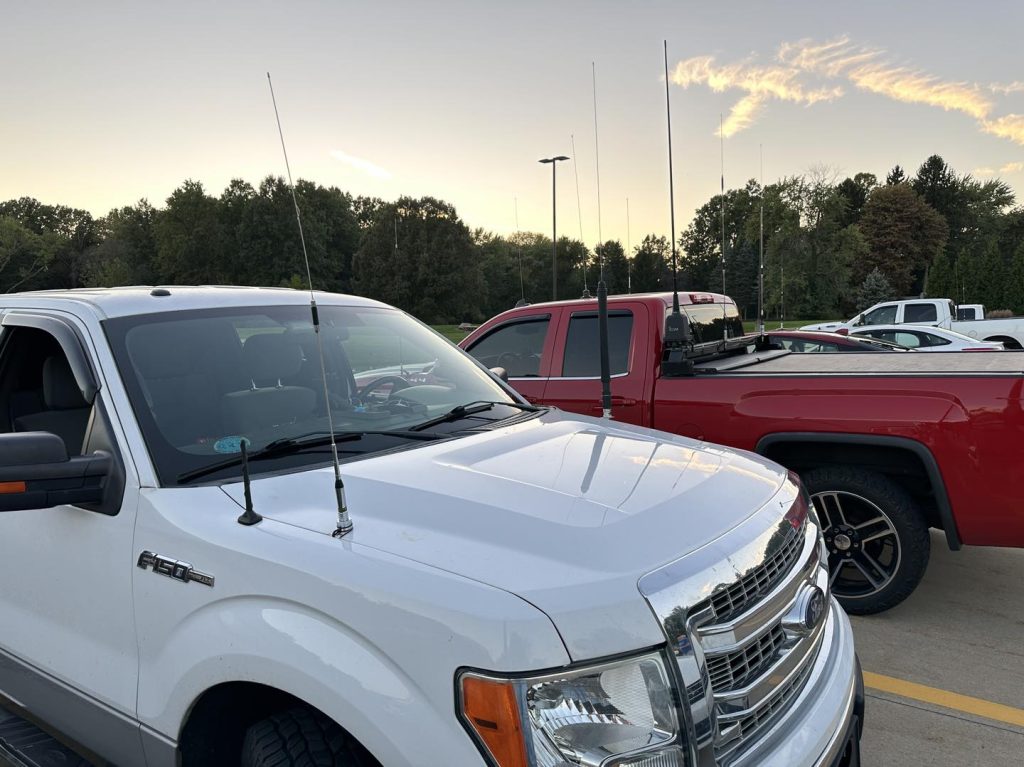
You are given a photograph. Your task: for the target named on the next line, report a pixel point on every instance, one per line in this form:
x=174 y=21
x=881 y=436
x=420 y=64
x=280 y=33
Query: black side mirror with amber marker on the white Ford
x=36 y=474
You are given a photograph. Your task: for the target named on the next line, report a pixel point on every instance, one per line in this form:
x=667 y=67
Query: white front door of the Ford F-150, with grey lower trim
x=66 y=606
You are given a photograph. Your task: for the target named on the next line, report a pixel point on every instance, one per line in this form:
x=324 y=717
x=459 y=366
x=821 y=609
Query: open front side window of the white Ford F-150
x=39 y=392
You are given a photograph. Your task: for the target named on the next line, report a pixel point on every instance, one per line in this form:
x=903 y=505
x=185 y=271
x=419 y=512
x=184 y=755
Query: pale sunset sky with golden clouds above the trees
x=105 y=103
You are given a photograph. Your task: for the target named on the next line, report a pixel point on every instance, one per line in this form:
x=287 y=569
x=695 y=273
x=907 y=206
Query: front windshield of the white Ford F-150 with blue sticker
x=202 y=381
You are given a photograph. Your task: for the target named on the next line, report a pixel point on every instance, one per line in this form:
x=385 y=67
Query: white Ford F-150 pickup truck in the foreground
x=522 y=586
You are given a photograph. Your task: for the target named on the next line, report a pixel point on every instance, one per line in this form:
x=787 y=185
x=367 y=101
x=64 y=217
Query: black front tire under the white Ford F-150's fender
x=301 y=738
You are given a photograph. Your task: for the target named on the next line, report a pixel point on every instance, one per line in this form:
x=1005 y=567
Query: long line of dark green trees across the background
x=831 y=246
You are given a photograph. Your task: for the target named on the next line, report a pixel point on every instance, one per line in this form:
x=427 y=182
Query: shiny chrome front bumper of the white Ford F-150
x=823 y=728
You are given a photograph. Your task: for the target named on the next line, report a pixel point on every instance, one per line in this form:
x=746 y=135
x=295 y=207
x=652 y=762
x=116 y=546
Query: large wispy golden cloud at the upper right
x=805 y=72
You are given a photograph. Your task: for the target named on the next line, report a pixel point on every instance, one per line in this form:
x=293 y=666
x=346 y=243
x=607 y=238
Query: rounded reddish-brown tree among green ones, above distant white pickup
x=905 y=235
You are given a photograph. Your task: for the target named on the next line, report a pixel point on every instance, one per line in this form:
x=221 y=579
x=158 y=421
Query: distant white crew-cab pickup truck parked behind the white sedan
x=937 y=312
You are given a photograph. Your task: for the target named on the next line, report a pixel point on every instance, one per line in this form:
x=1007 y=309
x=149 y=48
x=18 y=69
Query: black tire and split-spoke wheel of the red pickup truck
x=876 y=534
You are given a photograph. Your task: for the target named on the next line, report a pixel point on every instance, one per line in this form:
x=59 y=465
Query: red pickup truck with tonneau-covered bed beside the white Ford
x=887 y=445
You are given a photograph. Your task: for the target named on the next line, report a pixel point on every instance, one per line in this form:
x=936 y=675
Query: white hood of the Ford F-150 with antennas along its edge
x=568 y=513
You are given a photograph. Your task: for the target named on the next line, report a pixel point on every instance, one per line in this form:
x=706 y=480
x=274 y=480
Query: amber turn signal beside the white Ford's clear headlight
x=491 y=709
